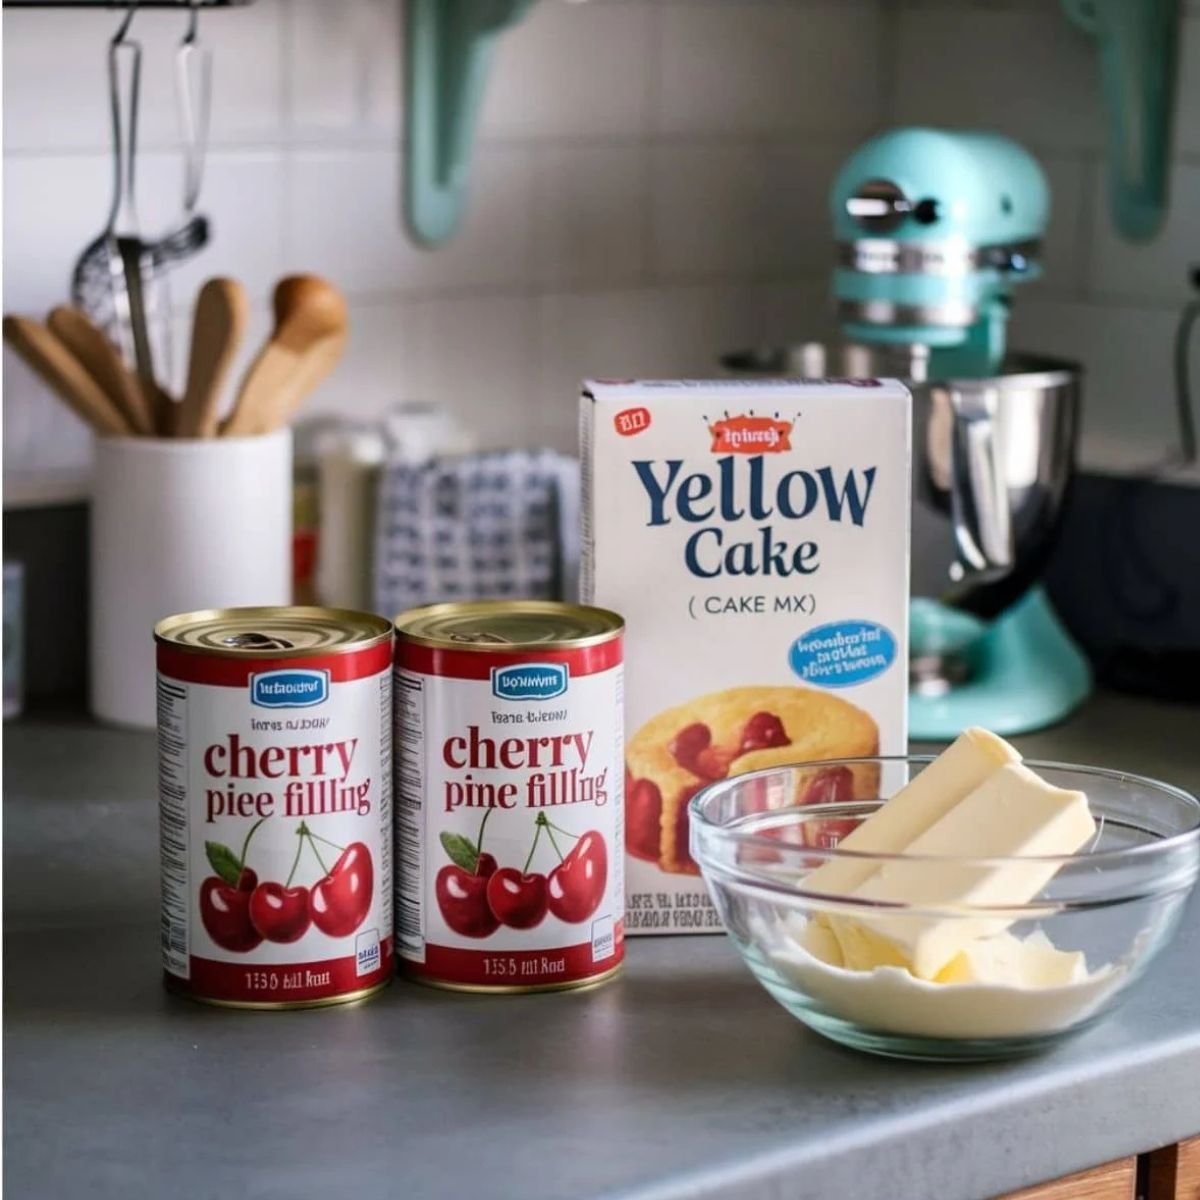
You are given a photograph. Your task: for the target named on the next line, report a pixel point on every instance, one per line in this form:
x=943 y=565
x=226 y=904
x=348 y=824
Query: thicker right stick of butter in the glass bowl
x=1012 y=814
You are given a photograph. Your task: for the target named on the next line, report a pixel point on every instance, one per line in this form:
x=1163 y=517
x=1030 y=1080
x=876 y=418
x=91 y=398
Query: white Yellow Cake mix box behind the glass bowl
x=755 y=537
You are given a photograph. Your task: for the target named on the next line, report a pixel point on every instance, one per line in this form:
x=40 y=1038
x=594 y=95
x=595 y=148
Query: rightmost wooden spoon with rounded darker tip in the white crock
x=308 y=310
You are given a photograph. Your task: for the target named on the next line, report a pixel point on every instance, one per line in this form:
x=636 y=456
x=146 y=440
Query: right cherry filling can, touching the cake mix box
x=511 y=795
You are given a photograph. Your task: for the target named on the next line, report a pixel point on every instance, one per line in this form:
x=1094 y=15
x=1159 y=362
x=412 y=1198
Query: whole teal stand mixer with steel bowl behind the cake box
x=935 y=230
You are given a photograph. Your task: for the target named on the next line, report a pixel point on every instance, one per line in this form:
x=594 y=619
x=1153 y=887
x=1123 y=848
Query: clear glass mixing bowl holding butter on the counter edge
x=1036 y=973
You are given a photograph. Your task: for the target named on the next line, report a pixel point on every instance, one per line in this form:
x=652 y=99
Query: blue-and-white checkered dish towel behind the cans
x=485 y=526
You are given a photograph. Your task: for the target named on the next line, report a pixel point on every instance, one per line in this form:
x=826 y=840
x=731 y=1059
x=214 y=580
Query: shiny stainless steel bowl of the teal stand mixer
x=992 y=464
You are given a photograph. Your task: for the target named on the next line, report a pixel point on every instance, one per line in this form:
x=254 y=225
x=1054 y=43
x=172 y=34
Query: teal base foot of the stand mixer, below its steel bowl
x=1018 y=674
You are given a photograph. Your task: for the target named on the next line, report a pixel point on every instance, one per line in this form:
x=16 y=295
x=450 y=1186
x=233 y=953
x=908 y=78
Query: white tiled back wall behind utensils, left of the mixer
x=649 y=189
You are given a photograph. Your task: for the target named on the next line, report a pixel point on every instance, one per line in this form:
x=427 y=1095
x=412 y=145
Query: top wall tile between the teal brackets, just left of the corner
x=770 y=68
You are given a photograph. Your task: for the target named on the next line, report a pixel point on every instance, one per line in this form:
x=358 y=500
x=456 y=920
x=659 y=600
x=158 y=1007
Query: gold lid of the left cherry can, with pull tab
x=277 y=633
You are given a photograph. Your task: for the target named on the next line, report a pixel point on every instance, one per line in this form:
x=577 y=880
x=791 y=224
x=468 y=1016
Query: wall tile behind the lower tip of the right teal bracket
x=1156 y=272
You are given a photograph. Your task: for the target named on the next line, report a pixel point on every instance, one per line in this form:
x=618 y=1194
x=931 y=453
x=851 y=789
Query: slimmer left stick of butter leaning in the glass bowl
x=958 y=771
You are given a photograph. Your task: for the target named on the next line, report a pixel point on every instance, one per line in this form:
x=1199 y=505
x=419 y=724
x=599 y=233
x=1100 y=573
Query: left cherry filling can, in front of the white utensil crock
x=275 y=806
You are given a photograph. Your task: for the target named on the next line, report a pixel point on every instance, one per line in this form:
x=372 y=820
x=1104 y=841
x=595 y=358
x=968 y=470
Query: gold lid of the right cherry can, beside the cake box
x=509 y=625
